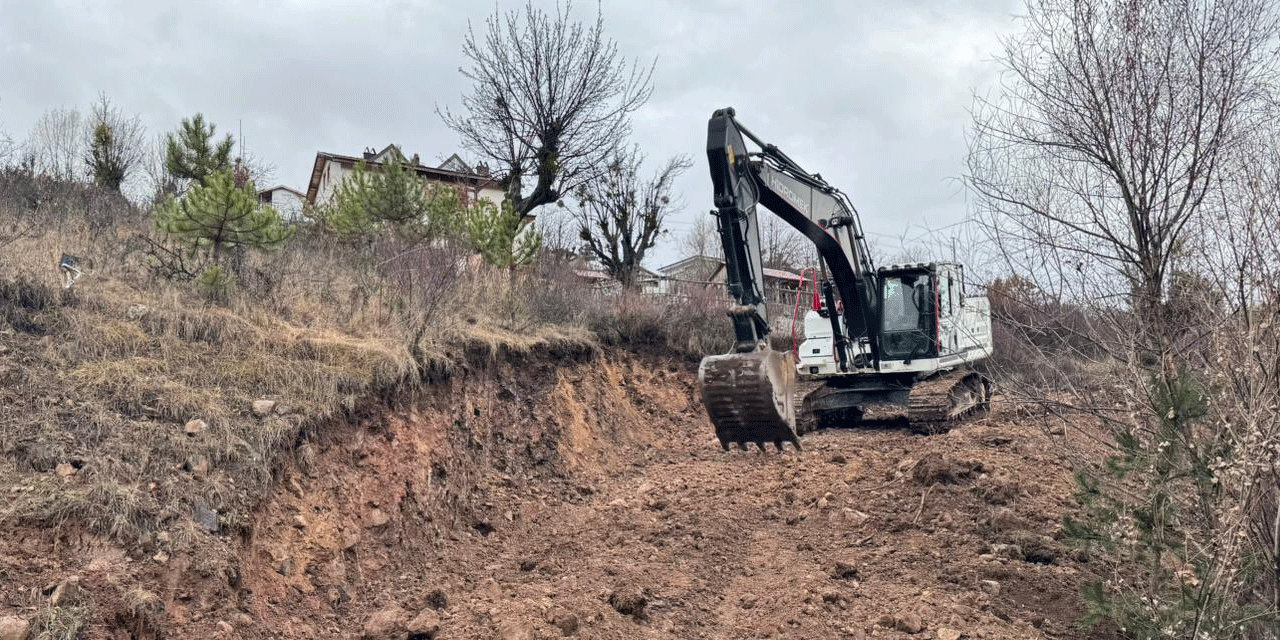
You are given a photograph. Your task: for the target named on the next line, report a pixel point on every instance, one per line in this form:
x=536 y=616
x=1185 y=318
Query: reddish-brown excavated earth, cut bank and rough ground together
x=584 y=496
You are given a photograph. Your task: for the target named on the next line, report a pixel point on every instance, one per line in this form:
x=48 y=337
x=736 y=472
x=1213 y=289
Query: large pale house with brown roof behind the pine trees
x=331 y=170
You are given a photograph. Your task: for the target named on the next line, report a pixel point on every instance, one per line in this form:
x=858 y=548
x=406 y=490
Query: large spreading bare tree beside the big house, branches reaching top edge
x=551 y=100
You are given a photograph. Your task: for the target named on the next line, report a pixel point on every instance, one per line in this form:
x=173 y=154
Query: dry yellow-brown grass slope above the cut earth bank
x=99 y=381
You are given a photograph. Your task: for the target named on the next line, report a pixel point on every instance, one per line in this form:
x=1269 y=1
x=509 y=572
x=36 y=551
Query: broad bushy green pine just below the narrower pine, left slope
x=221 y=216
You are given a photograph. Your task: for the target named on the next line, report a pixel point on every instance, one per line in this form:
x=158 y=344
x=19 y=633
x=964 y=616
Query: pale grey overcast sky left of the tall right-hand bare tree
x=874 y=95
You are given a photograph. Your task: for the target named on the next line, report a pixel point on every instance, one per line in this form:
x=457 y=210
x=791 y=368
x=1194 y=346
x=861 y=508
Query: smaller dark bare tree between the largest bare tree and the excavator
x=621 y=214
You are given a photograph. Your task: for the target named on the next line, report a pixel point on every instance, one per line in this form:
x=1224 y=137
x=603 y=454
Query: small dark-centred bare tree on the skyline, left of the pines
x=116 y=144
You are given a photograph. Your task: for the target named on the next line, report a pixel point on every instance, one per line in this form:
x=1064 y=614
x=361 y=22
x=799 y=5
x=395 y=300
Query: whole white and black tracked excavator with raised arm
x=902 y=336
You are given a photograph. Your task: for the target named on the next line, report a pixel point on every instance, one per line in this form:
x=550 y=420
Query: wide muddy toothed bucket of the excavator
x=751 y=397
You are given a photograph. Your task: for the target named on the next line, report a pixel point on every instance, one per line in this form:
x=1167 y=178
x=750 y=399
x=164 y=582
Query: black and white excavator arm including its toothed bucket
x=749 y=391
